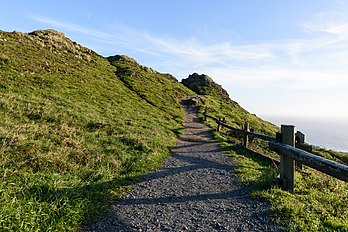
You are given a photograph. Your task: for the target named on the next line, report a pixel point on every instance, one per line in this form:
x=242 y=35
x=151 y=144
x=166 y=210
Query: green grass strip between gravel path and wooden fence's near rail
x=319 y=202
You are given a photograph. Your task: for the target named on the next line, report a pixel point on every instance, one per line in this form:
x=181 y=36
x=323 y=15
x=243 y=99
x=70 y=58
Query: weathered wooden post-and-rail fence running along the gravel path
x=291 y=148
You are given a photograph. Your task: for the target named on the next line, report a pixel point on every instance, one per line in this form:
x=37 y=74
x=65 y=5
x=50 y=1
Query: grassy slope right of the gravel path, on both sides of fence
x=319 y=202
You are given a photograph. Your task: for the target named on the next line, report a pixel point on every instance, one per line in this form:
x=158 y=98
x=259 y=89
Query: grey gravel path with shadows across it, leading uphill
x=194 y=190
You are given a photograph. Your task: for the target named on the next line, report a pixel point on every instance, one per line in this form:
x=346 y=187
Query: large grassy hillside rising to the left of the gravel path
x=72 y=135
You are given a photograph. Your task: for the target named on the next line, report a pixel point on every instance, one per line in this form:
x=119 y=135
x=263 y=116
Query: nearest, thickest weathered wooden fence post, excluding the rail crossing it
x=287 y=165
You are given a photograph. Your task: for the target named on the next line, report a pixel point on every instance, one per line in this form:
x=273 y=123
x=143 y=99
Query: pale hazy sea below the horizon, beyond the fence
x=331 y=133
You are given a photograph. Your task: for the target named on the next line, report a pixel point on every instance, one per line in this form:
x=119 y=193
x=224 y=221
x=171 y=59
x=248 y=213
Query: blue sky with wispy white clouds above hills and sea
x=273 y=57
